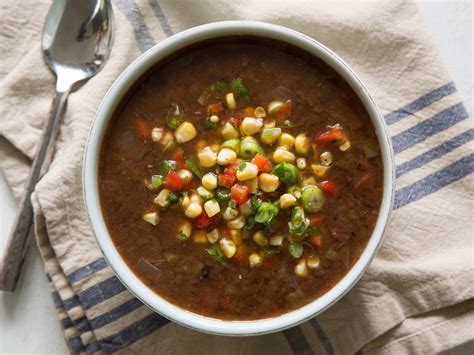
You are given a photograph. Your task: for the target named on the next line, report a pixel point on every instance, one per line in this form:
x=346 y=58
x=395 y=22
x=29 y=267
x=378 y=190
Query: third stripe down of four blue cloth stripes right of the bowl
x=436 y=152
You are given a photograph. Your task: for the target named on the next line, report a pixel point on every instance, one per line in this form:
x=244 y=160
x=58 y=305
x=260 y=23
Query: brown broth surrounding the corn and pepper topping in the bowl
x=194 y=281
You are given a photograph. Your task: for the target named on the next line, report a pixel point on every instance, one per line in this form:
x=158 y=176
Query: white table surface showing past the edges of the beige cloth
x=28 y=322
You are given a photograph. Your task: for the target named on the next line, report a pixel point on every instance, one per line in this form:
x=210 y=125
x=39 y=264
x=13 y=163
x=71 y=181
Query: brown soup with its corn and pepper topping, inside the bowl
x=240 y=178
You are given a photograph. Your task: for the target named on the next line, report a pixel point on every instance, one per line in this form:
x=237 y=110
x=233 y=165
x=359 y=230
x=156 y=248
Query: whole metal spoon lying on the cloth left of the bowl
x=77 y=38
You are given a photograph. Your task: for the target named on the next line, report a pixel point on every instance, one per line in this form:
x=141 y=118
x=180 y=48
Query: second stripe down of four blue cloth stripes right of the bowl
x=429 y=127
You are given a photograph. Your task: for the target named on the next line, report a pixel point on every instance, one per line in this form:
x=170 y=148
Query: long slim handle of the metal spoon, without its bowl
x=10 y=265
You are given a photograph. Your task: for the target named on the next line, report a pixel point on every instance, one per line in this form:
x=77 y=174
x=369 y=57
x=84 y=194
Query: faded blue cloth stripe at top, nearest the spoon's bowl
x=142 y=35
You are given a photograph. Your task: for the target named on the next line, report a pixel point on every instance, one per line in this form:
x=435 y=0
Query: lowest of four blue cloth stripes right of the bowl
x=434 y=182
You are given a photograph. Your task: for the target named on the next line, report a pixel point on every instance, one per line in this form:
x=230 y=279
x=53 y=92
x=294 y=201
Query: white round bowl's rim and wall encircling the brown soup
x=91 y=195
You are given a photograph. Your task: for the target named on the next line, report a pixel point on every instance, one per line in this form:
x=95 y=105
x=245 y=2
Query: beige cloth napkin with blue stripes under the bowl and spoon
x=416 y=296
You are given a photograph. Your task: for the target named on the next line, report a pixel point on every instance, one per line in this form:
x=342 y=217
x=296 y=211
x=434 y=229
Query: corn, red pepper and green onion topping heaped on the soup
x=266 y=178
